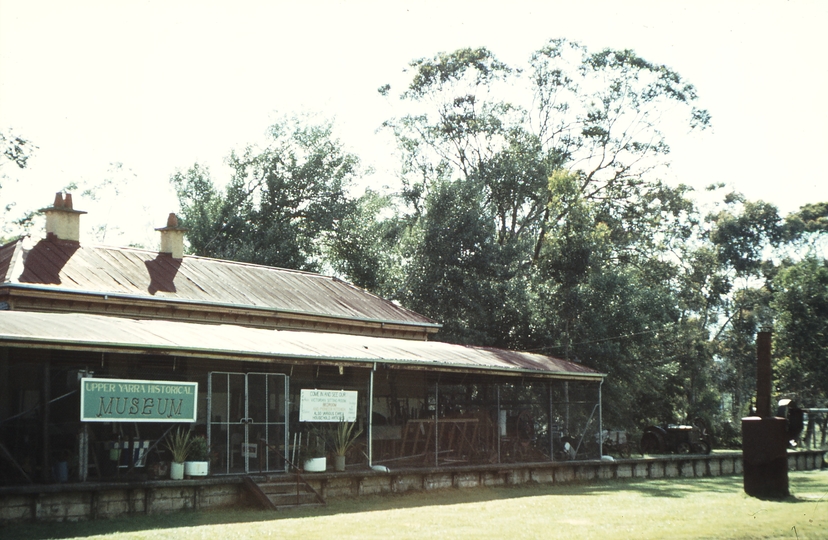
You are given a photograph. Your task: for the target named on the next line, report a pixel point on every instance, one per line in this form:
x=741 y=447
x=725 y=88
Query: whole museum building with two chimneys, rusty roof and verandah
x=100 y=347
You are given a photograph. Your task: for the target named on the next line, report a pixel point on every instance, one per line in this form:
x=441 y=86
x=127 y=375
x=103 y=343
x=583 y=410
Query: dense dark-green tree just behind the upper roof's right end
x=459 y=273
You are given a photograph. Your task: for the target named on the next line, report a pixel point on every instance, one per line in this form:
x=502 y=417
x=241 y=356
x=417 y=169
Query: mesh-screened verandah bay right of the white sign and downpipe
x=442 y=419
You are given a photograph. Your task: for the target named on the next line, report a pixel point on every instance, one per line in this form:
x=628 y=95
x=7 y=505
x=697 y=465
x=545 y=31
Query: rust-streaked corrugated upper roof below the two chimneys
x=135 y=273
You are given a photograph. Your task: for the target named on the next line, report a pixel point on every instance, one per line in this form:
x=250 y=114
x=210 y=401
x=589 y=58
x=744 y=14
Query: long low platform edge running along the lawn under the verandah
x=92 y=500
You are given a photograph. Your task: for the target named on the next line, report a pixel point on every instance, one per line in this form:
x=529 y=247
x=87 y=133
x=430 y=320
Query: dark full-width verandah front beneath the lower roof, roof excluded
x=250 y=416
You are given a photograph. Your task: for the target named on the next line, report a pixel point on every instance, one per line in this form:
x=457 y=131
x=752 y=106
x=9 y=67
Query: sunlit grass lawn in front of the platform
x=675 y=508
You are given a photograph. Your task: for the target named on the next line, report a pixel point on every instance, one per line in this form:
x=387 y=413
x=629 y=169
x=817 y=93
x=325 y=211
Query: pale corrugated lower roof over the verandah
x=98 y=332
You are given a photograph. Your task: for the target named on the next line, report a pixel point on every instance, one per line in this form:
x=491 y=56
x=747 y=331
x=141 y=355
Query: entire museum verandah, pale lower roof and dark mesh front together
x=417 y=403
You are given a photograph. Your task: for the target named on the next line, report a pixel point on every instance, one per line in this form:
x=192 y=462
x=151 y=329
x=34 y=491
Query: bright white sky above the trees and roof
x=139 y=89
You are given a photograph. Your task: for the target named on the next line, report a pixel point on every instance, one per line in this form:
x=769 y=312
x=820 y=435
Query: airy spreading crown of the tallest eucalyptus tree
x=508 y=129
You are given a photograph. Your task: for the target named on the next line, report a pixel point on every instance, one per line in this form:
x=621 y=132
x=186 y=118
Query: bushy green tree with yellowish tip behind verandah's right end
x=615 y=297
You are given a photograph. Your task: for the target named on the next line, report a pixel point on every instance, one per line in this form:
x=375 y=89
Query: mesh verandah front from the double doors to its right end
x=405 y=418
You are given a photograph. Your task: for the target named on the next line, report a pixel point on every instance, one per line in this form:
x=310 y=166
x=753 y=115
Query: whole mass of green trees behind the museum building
x=531 y=214
